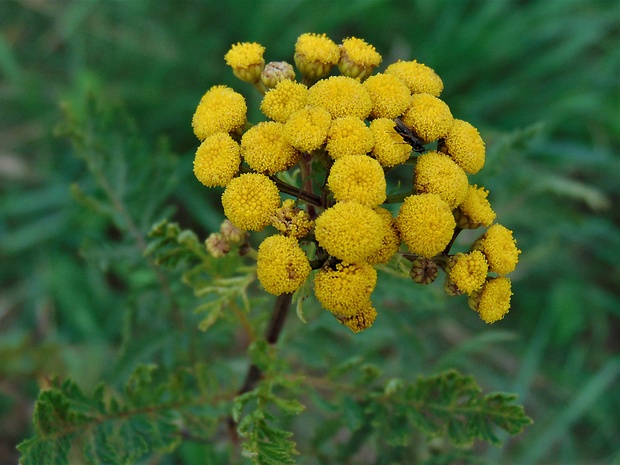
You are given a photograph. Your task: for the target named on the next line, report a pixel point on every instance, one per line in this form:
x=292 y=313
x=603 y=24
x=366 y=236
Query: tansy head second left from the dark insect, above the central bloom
x=348 y=136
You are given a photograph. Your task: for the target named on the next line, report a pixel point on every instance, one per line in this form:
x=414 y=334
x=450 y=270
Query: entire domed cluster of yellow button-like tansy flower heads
x=328 y=143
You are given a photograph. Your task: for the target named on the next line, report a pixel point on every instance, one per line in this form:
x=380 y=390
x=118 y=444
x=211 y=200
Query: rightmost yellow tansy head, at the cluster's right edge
x=499 y=248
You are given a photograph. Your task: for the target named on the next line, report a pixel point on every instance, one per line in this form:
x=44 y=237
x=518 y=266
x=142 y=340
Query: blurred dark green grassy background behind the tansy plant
x=541 y=81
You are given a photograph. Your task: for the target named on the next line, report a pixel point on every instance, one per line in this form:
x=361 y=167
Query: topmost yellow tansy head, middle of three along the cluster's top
x=315 y=54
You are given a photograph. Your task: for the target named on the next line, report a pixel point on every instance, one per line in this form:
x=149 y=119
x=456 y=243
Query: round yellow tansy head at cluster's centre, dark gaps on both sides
x=357 y=178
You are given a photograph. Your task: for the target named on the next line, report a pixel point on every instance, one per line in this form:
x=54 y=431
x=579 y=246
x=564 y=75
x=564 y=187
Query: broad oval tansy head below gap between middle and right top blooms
x=341 y=96
